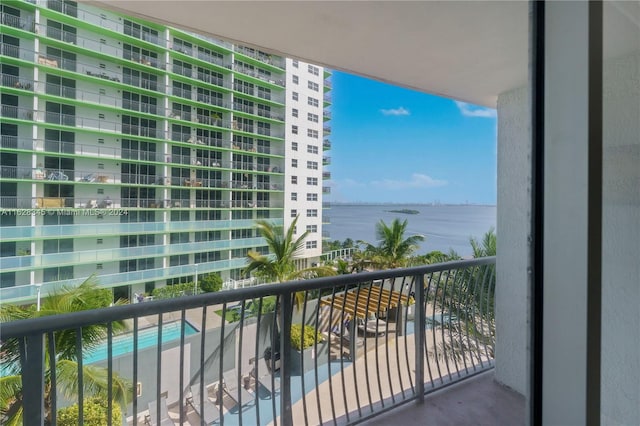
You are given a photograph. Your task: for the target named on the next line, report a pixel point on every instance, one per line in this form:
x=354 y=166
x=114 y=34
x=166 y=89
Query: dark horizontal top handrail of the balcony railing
x=34 y=326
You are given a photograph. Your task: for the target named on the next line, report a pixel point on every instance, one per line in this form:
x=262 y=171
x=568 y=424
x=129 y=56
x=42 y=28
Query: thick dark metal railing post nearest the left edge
x=32 y=358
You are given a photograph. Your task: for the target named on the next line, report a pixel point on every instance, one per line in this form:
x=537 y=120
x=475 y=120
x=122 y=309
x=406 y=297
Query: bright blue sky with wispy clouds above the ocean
x=391 y=144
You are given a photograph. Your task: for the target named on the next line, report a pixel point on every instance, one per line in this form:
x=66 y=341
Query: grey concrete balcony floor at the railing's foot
x=475 y=401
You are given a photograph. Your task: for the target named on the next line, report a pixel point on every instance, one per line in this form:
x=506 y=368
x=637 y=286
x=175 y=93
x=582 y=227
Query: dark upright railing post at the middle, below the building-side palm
x=286 y=311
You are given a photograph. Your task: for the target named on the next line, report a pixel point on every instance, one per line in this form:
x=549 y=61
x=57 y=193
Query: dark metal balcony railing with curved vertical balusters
x=377 y=340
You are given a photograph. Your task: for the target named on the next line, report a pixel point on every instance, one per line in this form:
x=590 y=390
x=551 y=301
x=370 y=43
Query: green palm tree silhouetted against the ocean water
x=394 y=249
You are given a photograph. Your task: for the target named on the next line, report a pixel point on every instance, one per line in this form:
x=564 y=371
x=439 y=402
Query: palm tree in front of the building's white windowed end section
x=284 y=249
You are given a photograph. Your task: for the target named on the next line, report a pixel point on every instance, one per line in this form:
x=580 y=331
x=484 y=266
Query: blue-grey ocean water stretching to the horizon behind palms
x=444 y=226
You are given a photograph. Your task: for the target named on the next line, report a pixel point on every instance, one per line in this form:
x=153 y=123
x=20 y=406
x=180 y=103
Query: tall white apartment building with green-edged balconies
x=143 y=153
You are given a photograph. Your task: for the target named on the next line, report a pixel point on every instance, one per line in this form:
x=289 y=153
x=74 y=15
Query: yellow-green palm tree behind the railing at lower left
x=87 y=295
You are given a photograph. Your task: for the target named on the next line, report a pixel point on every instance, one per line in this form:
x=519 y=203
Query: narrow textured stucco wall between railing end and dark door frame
x=514 y=216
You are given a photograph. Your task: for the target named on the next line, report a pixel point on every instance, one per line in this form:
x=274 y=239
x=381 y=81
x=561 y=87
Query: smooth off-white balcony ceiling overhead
x=466 y=50
